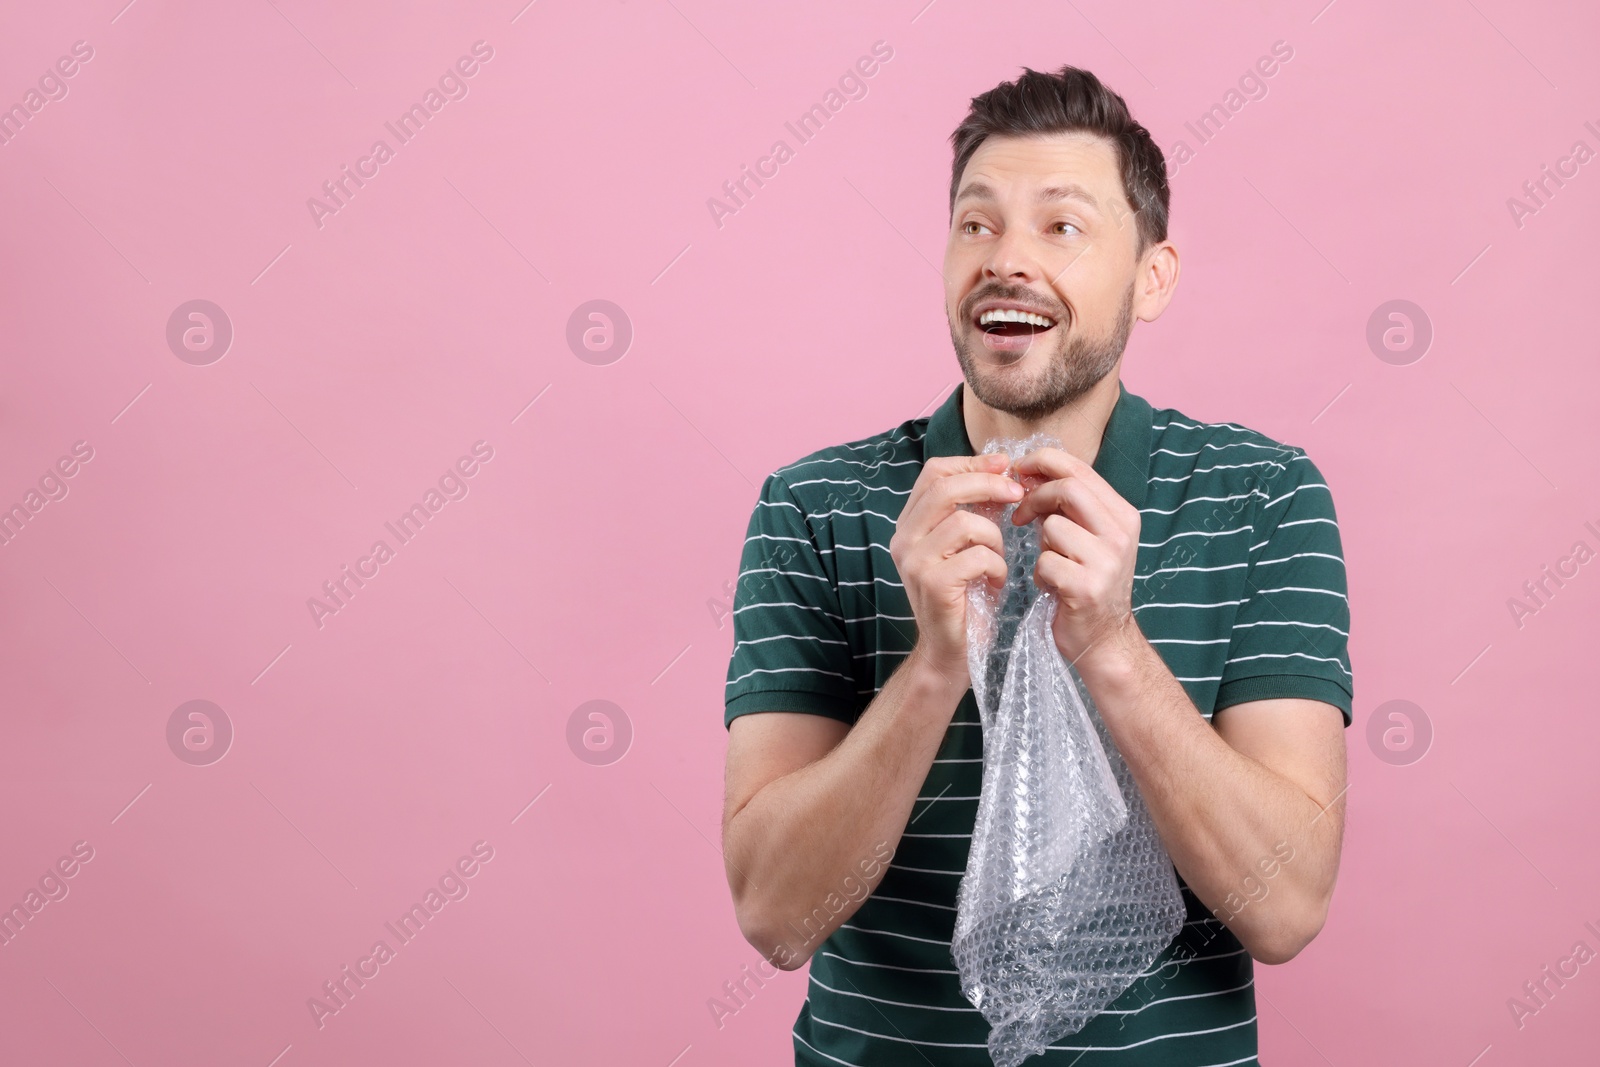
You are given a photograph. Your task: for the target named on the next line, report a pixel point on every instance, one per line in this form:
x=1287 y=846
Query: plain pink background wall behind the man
x=591 y=556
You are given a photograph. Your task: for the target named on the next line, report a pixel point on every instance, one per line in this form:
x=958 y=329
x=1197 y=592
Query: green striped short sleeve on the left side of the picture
x=790 y=649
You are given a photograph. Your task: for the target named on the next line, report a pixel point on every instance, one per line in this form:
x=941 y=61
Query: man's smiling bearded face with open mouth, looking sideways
x=1041 y=270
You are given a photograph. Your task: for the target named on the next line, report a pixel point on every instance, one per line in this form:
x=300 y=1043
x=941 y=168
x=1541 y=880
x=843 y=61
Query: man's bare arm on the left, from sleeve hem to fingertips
x=809 y=796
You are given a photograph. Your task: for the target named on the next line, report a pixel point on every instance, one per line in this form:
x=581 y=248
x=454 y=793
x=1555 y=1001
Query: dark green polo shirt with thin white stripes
x=1241 y=589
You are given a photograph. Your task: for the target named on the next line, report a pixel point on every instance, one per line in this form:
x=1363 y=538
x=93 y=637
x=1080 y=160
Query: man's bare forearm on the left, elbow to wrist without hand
x=828 y=829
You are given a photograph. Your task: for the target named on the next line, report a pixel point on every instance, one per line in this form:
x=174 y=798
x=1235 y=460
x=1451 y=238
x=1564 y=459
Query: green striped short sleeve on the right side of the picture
x=1292 y=634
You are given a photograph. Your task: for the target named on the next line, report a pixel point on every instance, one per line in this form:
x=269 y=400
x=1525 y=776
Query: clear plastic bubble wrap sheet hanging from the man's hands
x=1068 y=893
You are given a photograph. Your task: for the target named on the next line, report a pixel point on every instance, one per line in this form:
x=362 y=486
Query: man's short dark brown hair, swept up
x=1073 y=100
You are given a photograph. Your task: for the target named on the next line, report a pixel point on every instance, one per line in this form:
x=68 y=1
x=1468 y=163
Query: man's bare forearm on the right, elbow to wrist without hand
x=1254 y=845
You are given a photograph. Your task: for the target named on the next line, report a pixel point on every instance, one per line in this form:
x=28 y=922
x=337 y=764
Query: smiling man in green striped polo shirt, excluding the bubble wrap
x=1201 y=597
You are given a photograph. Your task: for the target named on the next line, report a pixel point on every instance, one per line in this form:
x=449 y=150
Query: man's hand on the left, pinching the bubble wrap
x=940 y=548
